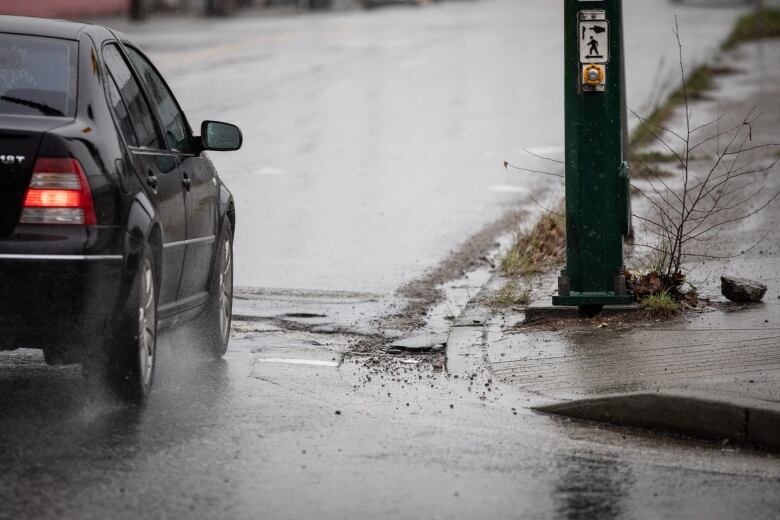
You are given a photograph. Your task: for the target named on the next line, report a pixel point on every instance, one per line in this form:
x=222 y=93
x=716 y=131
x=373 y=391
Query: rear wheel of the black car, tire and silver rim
x=126 y=363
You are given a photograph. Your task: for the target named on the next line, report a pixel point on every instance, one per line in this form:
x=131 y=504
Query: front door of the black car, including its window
x=199 y=180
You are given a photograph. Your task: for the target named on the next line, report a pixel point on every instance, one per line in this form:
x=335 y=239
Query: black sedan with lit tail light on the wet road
x=113 y=222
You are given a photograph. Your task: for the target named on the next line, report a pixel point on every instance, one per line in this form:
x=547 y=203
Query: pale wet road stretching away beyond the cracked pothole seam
x=375 y=139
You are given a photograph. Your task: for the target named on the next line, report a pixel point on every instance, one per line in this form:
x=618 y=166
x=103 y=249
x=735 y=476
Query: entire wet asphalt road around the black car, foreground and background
x=340 y=193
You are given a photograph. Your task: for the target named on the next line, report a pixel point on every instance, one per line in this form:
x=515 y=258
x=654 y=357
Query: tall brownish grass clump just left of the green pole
x=537 y=249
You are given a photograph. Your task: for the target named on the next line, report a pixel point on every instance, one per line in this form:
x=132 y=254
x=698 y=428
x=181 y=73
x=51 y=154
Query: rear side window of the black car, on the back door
x=130 y=92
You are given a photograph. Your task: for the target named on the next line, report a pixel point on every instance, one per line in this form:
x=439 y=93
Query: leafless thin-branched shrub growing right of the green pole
x=729 y=191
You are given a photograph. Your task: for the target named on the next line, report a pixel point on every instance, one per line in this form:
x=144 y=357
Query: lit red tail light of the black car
x=58 y=194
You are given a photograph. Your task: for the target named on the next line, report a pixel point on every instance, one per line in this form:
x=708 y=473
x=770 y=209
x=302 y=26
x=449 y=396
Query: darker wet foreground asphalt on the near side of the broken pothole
x=371 y=438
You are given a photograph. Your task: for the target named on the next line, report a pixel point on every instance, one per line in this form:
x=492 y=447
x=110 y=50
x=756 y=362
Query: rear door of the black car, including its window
x=157 y=167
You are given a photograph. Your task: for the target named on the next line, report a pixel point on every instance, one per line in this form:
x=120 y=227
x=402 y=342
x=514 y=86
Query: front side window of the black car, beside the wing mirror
x=177 y=134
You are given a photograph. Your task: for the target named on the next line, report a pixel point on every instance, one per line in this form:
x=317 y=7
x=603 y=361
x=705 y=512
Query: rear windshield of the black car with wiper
x=37 y=75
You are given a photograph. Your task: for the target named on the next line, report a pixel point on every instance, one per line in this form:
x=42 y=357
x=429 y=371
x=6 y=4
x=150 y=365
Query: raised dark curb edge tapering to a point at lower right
x=698 y=415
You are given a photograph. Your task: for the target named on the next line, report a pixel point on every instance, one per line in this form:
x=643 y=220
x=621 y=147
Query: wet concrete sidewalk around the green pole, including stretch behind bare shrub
x=712 y=373
